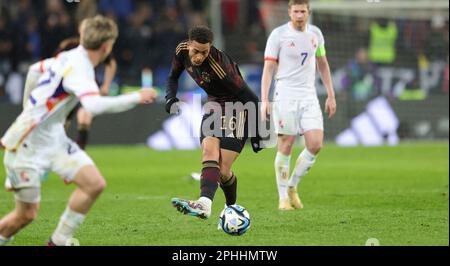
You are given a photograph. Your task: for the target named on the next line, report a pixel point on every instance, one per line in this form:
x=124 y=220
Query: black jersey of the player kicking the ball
x=218 y=76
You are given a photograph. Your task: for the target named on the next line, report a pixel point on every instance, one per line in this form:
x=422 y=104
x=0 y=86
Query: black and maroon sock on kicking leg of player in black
x=210 y=179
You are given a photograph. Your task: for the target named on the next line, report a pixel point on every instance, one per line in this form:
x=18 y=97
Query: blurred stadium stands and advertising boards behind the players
x=394 y=49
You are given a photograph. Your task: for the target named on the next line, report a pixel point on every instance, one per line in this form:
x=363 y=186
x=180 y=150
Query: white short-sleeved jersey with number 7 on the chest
x=295 y=52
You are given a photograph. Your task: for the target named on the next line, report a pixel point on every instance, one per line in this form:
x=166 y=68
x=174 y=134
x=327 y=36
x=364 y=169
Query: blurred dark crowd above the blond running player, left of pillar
x=31 y=30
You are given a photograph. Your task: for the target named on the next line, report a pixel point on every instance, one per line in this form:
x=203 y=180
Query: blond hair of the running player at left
x=97 y=30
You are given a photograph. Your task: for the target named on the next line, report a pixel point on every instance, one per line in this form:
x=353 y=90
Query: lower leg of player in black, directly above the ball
x=228 y=180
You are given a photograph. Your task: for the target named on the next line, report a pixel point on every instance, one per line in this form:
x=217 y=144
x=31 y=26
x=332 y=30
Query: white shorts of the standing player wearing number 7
x=294 y=117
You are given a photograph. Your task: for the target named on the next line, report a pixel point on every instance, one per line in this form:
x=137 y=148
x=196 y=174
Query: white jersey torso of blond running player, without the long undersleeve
x=62 y=82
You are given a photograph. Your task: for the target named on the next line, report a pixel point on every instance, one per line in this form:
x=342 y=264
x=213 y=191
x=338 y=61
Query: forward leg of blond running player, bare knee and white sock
x=90 y=184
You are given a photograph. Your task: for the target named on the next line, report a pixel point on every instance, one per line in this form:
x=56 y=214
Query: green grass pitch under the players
x=398 y=195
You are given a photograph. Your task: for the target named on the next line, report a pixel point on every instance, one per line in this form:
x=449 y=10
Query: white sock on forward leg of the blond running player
x=70 y=221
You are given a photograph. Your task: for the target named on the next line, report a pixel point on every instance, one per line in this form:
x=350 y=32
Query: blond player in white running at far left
x=37 y=143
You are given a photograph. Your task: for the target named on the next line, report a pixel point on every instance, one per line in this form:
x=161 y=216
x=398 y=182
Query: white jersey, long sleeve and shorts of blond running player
x=36 y=142
